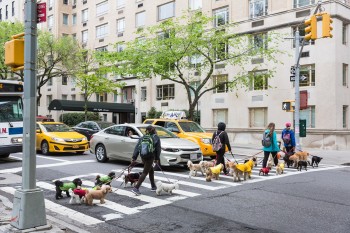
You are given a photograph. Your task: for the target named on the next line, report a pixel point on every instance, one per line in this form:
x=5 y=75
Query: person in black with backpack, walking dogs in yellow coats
x=222 y=135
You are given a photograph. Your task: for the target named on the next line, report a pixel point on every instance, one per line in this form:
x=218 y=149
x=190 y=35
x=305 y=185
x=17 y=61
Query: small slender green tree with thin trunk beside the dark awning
x=89 y=79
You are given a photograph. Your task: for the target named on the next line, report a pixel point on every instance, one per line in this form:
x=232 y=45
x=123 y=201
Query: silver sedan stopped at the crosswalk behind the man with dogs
x=119 y=142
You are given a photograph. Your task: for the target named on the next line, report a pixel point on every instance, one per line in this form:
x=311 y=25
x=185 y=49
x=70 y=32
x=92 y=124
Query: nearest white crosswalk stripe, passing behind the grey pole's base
x=59 y=209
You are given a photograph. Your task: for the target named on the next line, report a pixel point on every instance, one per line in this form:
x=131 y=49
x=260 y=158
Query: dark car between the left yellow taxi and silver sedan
x=88 y=128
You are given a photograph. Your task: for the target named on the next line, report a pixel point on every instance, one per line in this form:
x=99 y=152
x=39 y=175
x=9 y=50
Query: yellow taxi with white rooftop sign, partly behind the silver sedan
x=175 y=122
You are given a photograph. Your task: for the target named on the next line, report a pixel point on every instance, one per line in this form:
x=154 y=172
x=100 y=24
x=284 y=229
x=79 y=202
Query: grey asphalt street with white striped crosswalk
x=315 y=200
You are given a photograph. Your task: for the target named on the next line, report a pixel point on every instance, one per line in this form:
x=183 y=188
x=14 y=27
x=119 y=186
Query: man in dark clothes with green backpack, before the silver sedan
x=149 y=149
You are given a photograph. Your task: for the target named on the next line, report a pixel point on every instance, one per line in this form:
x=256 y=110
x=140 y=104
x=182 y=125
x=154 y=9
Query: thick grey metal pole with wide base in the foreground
x=28 y=203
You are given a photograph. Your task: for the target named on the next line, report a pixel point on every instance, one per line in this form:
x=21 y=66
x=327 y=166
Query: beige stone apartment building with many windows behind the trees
x=324 y=64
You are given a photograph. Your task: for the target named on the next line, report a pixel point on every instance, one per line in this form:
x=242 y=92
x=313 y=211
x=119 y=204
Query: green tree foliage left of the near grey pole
x=8 y=29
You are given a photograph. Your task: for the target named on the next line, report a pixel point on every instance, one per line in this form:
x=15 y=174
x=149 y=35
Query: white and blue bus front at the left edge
x=11 y=117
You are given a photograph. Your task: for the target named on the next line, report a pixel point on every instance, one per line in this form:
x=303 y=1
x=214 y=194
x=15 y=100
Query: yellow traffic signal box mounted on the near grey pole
x=14 y=52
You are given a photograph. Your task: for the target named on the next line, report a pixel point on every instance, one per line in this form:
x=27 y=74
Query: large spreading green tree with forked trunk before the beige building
x=185 y=50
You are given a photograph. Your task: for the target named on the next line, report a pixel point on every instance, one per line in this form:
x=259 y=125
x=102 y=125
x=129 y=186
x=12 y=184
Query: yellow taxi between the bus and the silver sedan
x=57 y=137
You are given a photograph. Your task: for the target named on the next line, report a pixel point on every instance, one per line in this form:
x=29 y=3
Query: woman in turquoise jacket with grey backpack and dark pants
x=270 y=144
